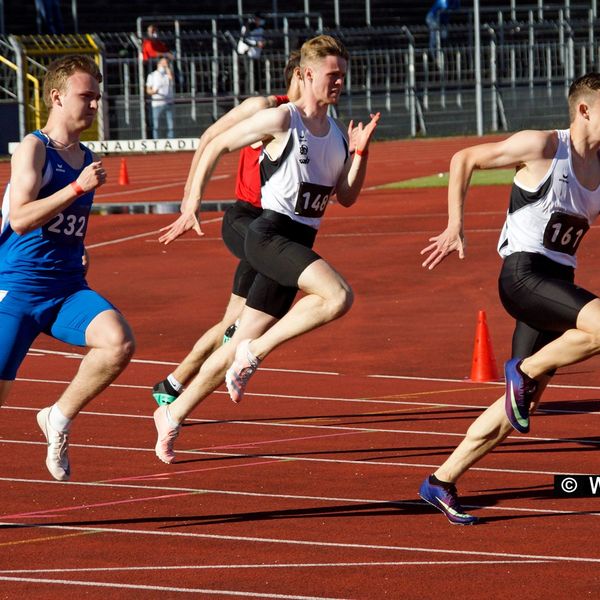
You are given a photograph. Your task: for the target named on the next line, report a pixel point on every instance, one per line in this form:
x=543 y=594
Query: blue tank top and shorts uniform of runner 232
x=42 y=278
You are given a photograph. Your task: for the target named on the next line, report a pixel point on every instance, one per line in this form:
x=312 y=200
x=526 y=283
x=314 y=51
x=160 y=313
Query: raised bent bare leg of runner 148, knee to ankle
x=328 y=297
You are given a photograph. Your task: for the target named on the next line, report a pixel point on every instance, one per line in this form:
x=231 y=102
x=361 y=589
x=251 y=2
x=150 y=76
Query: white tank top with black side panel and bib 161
x=552 y=218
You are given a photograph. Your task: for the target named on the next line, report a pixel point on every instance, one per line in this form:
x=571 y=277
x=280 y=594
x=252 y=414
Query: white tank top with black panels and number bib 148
x=300 y=182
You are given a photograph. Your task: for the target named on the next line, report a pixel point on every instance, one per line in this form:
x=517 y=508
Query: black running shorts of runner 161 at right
x=543 y=298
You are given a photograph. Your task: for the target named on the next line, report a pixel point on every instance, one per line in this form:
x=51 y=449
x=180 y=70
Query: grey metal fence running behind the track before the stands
x=527 y=61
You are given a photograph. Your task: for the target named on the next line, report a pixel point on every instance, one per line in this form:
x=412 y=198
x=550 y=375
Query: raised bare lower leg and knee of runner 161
x=575 y=345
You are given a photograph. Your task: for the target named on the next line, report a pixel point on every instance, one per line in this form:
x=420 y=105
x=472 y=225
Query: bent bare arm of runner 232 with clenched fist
x=27 y=212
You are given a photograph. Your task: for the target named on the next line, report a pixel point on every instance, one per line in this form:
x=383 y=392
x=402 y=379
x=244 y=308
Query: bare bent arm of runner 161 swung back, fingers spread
x=528 y=149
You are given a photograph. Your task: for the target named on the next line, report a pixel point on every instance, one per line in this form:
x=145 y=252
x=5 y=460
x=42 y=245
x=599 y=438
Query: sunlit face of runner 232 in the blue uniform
x=79 y=101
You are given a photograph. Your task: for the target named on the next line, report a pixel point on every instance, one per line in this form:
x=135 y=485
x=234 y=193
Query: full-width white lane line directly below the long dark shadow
x=315 y=543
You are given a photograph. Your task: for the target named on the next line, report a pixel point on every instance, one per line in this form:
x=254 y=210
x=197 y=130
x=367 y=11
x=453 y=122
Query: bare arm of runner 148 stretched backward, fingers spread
x=266 y=123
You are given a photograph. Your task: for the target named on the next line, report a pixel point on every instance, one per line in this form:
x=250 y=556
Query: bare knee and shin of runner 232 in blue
x=111 y=345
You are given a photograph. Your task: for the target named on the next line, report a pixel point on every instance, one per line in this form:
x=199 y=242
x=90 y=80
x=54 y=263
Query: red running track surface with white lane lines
x=307 y=489
